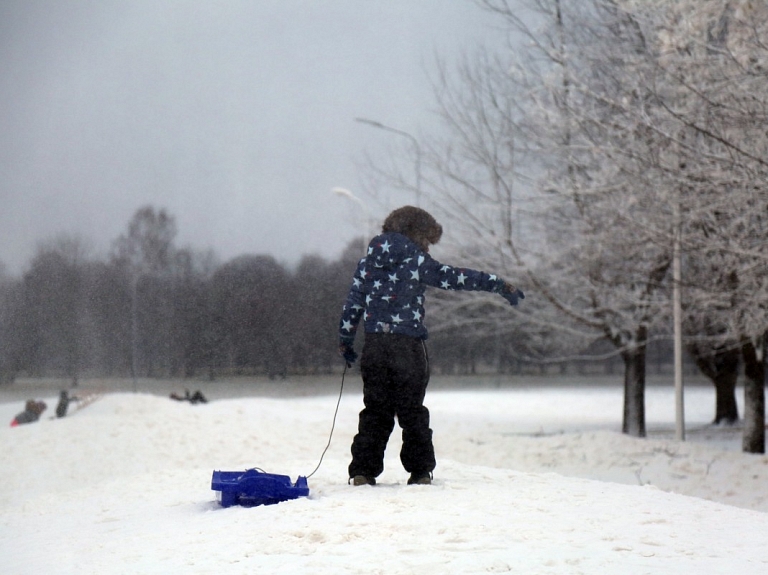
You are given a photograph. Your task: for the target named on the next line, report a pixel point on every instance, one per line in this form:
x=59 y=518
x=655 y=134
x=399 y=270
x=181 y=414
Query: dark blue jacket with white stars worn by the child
x=388 y=287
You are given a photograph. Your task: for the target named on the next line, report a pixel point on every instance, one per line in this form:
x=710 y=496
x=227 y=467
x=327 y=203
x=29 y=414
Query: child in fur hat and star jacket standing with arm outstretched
x=387 y=294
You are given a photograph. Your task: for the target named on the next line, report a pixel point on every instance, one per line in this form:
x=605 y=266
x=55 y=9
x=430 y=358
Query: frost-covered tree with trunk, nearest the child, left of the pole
x=525 y=180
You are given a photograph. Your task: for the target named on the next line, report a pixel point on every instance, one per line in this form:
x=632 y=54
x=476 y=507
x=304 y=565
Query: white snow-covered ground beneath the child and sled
x=531 y=479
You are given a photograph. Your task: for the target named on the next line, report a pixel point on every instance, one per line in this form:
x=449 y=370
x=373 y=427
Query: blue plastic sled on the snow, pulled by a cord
x=253 y=487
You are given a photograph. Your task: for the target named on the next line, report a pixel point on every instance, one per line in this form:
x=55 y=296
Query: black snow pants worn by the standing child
x=395 y=371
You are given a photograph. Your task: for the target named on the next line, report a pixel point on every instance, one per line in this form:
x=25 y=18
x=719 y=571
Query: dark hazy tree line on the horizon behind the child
x=153 y=310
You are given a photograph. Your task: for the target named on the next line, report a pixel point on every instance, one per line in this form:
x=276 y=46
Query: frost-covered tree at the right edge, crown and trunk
x=712 y=94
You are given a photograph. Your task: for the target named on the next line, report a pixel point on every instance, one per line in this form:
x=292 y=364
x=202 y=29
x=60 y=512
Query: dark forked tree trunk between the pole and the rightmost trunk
x=722 y=368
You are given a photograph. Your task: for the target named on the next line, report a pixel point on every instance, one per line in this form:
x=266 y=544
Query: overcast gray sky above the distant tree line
x=237 y=116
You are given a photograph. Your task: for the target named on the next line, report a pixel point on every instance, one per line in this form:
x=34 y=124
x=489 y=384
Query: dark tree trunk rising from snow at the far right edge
x=753 y=352
